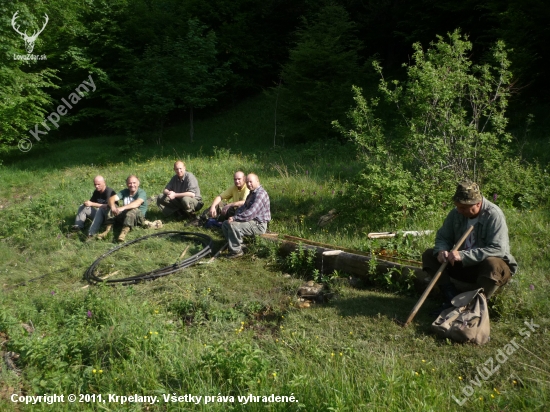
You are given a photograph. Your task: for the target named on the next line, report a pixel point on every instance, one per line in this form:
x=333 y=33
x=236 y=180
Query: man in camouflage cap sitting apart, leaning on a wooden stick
x=484 y=260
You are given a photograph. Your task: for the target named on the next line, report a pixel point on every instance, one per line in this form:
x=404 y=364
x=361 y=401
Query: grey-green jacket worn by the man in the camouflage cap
x=490 y=231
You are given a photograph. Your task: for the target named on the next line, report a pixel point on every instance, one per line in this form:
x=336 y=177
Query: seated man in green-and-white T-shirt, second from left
x=131 y=213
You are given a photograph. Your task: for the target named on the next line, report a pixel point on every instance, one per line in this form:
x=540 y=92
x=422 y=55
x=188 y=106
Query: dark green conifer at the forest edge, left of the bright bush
x=318 y=77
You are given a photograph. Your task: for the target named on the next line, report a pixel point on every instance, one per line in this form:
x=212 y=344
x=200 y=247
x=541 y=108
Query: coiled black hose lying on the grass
x=205 y=240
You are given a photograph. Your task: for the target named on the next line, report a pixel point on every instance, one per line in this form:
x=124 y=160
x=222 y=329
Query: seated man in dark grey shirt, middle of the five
x=181 y=195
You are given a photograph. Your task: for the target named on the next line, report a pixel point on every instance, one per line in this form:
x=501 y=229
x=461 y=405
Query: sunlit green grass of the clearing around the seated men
x=234 y=327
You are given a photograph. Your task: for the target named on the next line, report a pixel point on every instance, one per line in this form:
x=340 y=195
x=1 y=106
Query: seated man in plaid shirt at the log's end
x=250 y=219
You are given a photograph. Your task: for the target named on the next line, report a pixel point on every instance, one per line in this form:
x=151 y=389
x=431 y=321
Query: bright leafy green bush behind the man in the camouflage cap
x=450 y=117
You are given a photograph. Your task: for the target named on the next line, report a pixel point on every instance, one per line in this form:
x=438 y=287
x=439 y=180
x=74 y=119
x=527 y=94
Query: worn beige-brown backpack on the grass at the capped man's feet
x=467 y=320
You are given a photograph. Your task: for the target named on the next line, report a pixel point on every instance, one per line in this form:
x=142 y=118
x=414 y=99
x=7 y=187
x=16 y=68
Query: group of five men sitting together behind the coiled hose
x=243 y=209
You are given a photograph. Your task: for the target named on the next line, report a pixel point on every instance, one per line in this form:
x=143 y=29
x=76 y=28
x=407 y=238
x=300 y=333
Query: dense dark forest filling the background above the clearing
x=155 y=63
